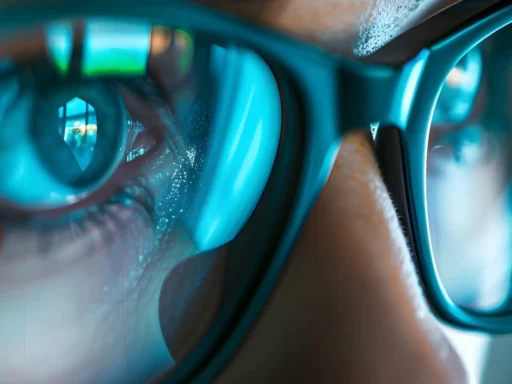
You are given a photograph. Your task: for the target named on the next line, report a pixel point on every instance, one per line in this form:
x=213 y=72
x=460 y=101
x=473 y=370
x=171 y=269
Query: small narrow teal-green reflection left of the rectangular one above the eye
x=59 y=43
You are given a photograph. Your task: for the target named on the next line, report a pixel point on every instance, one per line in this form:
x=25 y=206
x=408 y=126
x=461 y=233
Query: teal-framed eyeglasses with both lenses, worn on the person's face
x=226 y=132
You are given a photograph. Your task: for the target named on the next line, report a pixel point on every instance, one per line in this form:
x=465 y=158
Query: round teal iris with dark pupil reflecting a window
x=79 y=132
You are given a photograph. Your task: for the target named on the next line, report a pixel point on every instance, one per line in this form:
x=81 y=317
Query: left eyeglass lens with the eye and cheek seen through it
x=127 y=149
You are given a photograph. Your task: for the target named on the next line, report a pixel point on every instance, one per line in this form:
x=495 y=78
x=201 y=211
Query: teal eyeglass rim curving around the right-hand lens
x=443 y=57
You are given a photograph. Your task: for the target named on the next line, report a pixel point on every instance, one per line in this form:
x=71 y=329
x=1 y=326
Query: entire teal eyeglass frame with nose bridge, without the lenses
x=330 y=72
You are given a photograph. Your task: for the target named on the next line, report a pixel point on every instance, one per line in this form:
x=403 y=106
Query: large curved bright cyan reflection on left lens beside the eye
x=244 y=140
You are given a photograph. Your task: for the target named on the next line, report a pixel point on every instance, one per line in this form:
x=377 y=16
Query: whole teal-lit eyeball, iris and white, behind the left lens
x=56 y=150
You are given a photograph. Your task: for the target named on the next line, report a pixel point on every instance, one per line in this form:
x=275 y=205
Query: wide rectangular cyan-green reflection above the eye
x=116 y=48
